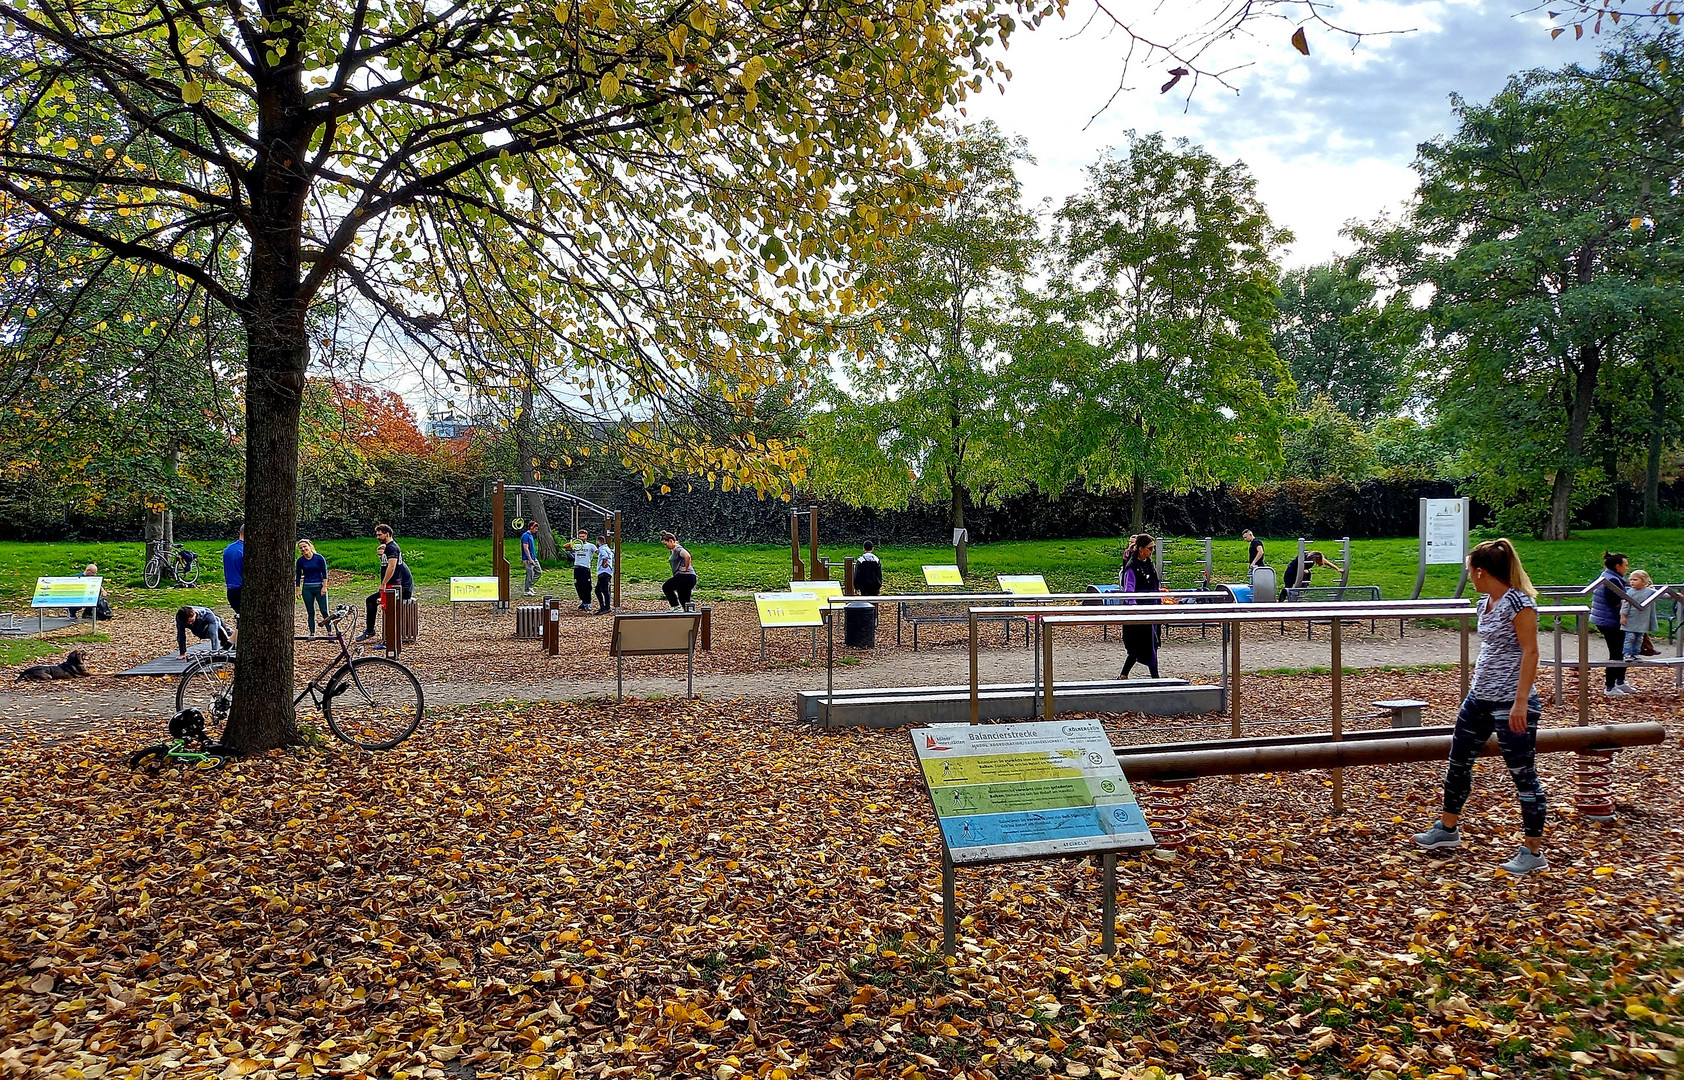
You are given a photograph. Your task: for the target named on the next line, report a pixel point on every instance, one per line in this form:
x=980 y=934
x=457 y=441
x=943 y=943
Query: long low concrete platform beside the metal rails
x=900 y=707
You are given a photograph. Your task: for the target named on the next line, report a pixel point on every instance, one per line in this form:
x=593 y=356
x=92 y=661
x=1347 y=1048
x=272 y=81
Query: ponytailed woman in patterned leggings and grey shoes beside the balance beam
x=1503 y=687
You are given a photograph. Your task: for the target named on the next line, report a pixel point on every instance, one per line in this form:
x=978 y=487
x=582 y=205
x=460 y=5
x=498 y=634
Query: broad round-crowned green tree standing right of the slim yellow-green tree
x=1151 y=361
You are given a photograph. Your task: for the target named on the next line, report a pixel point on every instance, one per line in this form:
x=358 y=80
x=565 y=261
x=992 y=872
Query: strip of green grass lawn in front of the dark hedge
x=1067 y=565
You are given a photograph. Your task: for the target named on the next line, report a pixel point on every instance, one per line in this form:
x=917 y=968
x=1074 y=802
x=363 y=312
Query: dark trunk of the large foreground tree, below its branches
x=277 y=356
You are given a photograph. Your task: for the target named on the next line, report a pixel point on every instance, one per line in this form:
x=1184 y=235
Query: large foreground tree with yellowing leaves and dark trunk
x=621 y=173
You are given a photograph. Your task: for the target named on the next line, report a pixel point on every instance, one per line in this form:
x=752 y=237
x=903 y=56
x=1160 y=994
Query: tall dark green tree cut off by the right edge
x=1547 y=233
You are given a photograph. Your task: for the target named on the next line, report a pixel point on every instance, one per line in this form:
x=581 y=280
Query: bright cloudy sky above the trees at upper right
x=1330 y=137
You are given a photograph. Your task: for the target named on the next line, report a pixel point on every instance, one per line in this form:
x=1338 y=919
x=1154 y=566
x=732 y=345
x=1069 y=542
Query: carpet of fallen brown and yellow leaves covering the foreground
x=710 y=890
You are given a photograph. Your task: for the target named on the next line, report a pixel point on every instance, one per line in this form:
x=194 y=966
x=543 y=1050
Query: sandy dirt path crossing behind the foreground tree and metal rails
x=83 y=705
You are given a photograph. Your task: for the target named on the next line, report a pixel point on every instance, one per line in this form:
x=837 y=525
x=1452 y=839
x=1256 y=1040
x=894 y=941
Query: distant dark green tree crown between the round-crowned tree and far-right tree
x=1338 y=341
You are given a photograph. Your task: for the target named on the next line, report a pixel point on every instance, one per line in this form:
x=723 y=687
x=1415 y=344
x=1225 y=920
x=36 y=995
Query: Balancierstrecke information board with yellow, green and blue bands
x=1028 y=791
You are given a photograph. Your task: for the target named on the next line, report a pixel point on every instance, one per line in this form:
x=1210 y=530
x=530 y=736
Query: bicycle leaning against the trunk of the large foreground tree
x=368 y=702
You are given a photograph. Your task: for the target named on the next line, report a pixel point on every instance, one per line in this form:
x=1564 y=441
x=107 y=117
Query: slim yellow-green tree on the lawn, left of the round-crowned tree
x=917 y=412
